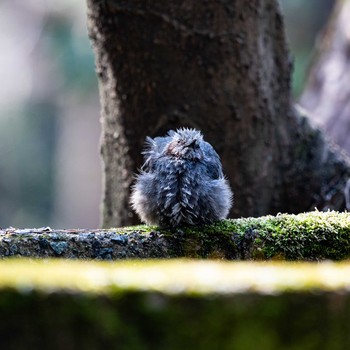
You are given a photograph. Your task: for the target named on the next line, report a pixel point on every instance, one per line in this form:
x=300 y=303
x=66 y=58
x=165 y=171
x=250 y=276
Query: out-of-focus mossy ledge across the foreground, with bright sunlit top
x=174 y=304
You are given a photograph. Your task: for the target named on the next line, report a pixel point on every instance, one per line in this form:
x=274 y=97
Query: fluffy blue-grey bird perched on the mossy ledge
x=181 y=182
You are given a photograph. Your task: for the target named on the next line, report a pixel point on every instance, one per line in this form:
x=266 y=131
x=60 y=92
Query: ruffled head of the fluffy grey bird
x=185 y=144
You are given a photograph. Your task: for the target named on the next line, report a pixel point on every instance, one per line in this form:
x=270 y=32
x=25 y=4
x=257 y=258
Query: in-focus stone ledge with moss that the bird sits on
x=309 y=236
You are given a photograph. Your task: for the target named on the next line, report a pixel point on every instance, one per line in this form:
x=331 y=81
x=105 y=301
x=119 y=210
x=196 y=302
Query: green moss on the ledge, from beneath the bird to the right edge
x=308 y=236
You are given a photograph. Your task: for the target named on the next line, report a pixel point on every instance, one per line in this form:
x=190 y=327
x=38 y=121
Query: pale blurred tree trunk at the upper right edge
x=327 y=94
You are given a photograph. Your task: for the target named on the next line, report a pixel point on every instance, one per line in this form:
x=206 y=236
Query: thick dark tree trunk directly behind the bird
x=222 y=67
